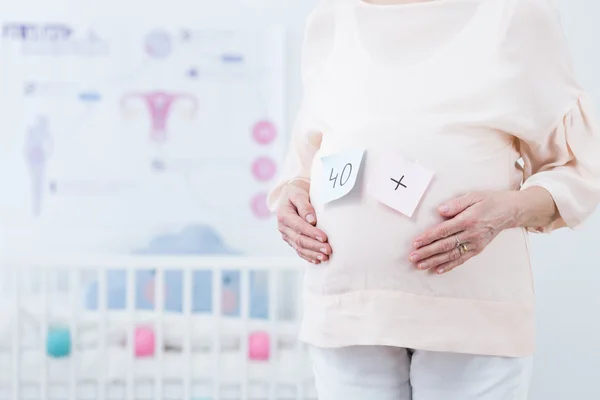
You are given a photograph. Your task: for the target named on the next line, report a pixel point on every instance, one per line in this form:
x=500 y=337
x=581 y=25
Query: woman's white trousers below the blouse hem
x=393 y=373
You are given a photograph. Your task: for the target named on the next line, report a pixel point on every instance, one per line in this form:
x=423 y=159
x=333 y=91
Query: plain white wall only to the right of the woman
x=566 y=263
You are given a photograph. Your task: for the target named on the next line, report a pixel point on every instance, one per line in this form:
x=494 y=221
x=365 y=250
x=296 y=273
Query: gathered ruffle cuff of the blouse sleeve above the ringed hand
x=566 y=162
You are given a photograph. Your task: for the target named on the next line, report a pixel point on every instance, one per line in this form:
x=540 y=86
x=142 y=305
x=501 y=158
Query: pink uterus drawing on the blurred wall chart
x=159 y=105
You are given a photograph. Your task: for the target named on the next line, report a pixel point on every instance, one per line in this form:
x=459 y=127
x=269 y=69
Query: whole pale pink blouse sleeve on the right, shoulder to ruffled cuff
x=559 y=138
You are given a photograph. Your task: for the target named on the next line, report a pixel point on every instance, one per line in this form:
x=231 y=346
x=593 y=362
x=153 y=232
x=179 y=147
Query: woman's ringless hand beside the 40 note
x=296 y=222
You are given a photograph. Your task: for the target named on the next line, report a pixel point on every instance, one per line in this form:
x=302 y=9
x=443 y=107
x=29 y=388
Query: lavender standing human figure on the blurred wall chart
x=37 y=150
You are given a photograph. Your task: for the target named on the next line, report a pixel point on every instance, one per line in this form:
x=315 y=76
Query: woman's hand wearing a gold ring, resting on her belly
x=474 y=220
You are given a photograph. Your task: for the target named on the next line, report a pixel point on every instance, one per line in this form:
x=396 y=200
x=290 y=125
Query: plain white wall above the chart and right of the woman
x=566 y=264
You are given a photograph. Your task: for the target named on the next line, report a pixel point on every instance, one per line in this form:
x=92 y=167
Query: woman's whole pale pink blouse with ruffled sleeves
x=481 y=92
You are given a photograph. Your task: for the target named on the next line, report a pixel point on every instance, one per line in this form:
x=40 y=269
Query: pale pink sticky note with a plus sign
x=398 y=183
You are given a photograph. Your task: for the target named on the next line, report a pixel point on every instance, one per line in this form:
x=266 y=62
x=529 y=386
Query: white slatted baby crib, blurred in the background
x=196 y=357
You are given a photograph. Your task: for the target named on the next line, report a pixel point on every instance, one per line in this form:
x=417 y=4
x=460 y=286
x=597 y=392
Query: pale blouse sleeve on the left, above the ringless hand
x=306 y=137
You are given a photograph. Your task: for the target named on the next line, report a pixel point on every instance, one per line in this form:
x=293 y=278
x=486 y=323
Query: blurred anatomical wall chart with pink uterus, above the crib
x=140 y=139
